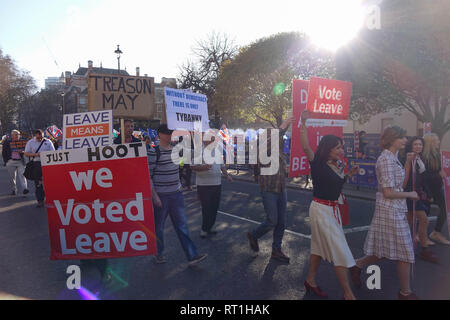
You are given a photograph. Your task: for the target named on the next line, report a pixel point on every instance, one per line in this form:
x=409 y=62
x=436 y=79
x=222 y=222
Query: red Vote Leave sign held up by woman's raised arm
x=328 y=102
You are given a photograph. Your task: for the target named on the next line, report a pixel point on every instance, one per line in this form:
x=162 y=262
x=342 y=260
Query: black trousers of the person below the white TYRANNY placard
x=210 y=199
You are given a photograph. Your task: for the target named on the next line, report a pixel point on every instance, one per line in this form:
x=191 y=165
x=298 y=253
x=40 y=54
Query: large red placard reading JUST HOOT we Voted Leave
x=99 y=202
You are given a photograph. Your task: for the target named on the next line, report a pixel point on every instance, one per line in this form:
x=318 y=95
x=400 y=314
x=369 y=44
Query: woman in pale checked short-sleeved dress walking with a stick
x=389 y=236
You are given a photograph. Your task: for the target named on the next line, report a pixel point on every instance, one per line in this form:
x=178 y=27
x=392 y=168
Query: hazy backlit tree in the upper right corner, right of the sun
x=403 y=66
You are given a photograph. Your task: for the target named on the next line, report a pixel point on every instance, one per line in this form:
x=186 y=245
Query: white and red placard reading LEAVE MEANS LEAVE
x=88 y=130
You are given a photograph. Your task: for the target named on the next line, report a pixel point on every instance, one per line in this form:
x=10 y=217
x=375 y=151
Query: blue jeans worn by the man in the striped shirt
x=173 y=206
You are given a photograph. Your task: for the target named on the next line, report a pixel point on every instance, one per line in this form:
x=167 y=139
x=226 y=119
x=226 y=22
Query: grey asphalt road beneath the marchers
x=230 y=272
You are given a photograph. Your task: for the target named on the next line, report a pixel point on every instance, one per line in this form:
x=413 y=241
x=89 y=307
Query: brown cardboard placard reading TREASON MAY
x=127 y=96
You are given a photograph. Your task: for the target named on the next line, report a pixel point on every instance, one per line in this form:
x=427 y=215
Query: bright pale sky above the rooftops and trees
x=47 y=37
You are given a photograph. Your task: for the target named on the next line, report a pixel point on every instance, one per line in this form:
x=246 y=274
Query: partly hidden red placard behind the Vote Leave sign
x=299 y=162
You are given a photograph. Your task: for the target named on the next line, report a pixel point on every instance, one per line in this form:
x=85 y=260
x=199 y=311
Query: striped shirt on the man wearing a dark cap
x=165 y=175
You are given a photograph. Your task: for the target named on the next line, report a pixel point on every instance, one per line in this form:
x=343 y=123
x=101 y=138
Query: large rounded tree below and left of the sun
x=255 y=88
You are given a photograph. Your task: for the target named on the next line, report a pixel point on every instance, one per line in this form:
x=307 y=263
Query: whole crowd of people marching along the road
x=409 y=175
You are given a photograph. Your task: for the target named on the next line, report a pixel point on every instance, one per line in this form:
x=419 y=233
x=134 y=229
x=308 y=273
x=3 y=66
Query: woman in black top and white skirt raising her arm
x=328 y=240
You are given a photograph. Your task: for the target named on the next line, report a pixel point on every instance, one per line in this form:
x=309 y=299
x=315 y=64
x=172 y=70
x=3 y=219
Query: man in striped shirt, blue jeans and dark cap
x=168 y=198
